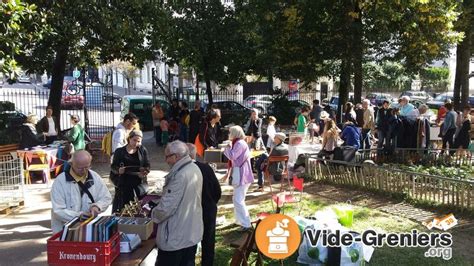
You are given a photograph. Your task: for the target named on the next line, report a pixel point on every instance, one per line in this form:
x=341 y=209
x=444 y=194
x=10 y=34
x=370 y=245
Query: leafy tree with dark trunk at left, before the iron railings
x=85 y=33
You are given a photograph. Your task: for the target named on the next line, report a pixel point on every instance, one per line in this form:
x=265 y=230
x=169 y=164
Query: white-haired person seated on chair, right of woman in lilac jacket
x=275 y=169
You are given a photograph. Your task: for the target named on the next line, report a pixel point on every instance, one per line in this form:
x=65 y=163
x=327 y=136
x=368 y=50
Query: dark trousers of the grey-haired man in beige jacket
x=180 y=257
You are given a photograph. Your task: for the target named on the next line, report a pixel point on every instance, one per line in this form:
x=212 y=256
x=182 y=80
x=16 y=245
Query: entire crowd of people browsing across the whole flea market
x=192 y=184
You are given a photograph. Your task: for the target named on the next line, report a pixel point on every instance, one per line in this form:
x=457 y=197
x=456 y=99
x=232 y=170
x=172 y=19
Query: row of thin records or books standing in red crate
x=93 y=229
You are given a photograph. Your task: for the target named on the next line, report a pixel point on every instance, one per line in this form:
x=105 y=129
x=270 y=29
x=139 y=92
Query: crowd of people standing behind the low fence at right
x=391 y=125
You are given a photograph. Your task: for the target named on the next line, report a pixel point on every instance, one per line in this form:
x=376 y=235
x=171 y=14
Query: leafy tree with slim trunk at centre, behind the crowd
x=202 y=35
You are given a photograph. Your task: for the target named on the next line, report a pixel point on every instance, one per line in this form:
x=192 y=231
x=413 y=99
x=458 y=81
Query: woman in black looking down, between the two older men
x=129 y=170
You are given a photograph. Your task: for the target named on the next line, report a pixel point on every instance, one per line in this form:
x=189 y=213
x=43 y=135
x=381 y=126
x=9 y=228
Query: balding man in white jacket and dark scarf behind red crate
x=76 y=191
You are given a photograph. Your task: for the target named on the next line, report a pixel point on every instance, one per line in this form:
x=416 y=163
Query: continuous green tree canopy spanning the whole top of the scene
x=302 y=39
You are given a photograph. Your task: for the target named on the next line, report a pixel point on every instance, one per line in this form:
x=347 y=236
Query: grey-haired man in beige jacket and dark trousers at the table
x=179 y=211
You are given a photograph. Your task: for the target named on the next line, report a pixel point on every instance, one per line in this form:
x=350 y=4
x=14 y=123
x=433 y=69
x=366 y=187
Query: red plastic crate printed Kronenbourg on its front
x=82 y=253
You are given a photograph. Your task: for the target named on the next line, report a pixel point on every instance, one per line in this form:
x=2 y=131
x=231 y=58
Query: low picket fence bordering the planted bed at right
x=417 y=186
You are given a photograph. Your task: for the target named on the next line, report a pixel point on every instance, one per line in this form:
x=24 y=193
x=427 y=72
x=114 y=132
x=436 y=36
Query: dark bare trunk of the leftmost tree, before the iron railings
x=57 y=79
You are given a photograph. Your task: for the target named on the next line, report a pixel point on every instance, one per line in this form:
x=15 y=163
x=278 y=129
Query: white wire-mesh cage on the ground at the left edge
x=11 y=182
